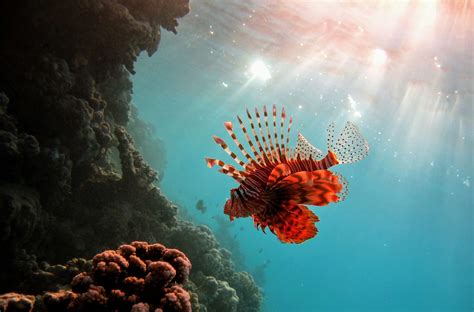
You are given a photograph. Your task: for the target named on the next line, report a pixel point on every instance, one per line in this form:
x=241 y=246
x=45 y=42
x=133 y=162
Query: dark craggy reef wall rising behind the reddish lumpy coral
x=64 y=113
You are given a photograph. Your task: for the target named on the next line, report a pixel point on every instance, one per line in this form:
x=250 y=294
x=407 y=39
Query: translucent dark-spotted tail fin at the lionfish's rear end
x=350 y=146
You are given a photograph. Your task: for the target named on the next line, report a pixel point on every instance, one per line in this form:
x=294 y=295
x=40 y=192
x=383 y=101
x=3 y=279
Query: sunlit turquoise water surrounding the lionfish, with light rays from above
x=402 y=239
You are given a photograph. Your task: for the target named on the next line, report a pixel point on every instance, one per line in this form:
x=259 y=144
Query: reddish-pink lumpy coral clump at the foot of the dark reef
x=135 y=277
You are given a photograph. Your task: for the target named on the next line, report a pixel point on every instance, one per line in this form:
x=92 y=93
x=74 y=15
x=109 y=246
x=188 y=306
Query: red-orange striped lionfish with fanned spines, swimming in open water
x=278 y=181
